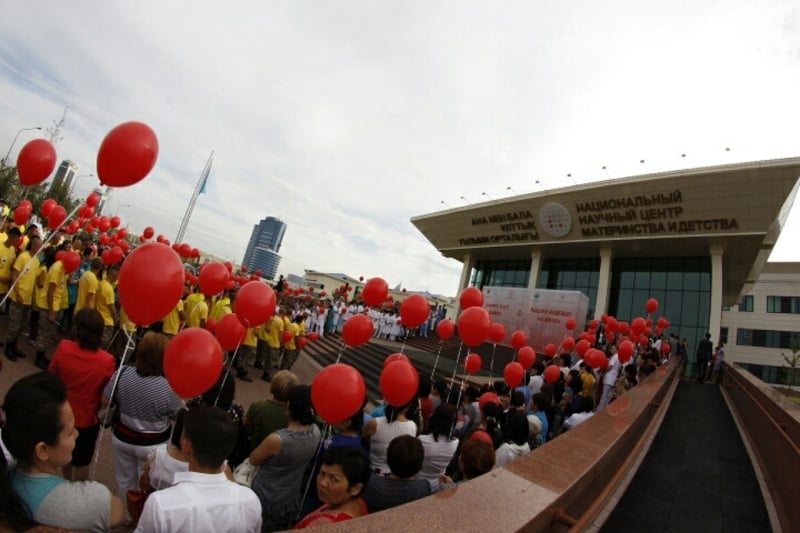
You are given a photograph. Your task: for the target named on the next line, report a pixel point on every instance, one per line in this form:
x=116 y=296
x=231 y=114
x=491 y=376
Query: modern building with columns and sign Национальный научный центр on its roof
x=694 y=240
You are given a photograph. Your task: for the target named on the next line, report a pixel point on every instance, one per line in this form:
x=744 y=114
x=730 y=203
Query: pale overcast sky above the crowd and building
x=345 y=119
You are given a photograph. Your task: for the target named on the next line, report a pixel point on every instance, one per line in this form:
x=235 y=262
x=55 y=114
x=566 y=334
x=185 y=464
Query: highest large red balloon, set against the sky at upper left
x=127 y=154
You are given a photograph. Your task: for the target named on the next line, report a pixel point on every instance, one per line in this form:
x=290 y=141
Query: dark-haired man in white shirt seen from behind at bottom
x=203 y=499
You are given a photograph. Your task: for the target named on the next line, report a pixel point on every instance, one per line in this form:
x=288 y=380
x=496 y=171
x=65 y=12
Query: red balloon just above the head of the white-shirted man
x=192 y=362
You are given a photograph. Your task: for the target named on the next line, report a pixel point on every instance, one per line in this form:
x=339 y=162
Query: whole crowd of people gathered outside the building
x=174 y=459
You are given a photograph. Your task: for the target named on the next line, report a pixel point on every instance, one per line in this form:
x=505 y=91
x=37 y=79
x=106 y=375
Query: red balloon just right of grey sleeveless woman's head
x=337 y=393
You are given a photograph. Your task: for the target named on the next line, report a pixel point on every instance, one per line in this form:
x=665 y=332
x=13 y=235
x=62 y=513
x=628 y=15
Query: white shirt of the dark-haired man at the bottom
x=202 y=503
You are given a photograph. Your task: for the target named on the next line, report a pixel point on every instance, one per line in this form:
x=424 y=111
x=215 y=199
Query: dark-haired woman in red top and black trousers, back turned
x=85 y=369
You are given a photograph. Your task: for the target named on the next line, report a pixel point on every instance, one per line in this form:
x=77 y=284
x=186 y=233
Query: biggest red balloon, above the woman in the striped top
x=150 y=283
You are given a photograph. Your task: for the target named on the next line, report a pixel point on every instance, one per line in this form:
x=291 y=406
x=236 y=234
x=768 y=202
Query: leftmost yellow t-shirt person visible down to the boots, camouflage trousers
x=23 y=277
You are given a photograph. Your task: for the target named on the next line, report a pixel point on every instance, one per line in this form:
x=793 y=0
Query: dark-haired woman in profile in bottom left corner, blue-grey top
x=40 y=434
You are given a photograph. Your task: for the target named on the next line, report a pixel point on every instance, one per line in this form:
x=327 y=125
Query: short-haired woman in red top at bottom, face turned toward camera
x=341 y=481
